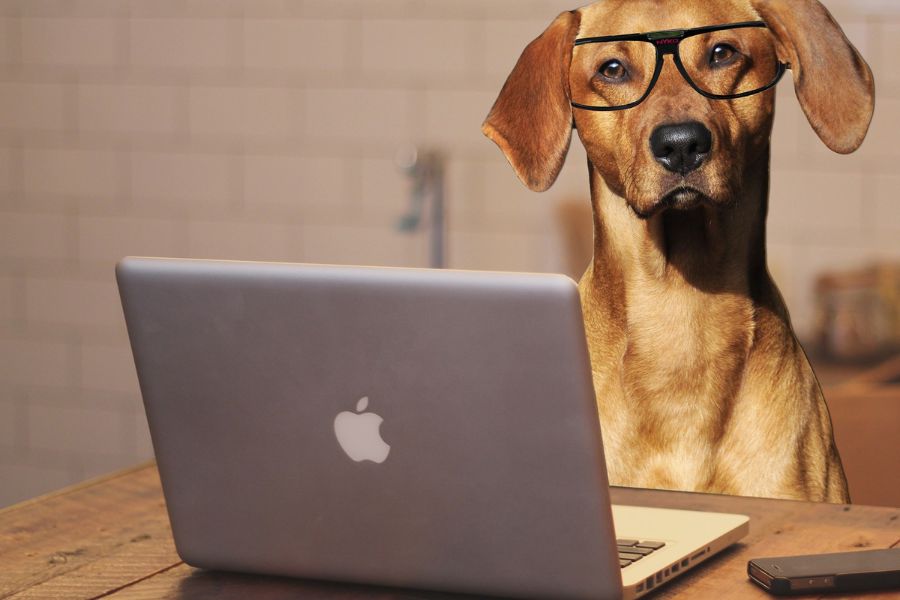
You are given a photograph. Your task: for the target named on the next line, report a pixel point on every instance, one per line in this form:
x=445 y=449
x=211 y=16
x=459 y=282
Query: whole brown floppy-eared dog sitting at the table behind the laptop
x=700 y=381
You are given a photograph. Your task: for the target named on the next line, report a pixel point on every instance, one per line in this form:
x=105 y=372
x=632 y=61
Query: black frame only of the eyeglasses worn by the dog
x=668 y=42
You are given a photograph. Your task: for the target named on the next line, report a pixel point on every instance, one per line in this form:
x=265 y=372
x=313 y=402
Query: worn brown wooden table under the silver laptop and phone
x=110 y=538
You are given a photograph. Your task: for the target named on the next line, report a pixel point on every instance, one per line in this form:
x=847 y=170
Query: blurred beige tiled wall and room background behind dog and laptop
x=281 y=130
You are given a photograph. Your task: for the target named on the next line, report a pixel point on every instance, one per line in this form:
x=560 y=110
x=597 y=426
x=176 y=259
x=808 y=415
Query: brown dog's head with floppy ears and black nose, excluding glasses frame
x=678 y=147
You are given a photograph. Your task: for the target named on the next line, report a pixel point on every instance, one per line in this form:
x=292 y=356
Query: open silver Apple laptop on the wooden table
x=399 y=427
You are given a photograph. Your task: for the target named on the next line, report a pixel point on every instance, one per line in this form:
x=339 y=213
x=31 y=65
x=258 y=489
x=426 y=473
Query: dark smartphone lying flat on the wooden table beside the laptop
x=839 y=572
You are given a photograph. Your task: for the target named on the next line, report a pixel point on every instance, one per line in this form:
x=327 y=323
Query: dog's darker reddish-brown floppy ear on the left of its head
x=531 y=120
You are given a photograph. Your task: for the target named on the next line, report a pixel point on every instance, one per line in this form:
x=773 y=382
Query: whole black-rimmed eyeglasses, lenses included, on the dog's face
x=722 y=62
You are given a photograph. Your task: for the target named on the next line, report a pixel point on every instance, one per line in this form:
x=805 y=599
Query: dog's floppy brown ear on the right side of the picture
x=833 y=82
